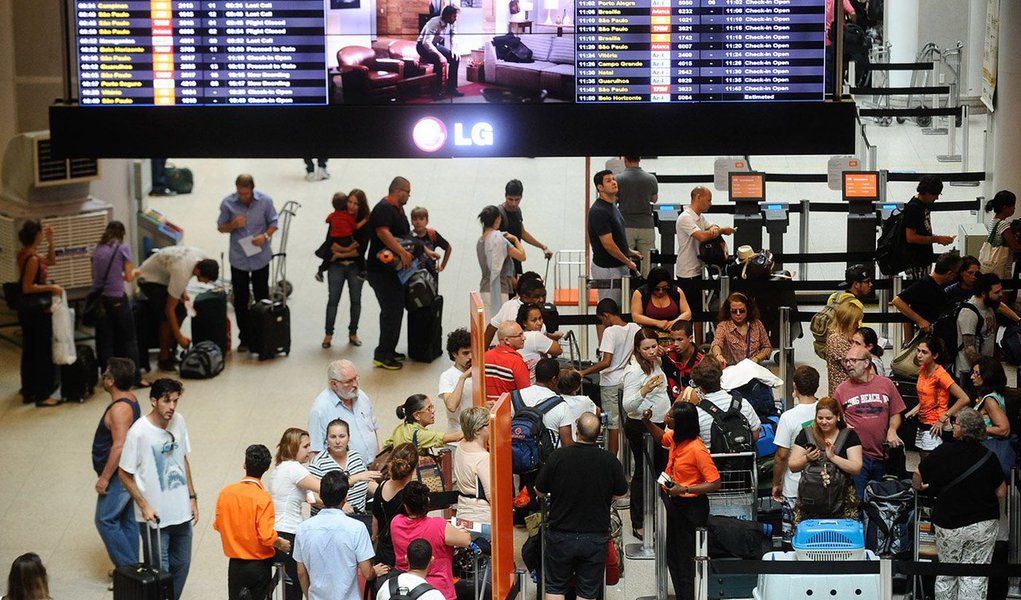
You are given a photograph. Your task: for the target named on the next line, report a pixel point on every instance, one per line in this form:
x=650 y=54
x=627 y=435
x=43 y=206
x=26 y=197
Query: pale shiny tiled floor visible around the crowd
x=46 y=485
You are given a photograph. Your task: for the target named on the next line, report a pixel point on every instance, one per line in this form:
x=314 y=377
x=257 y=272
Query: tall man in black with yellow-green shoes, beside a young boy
x=387 y=223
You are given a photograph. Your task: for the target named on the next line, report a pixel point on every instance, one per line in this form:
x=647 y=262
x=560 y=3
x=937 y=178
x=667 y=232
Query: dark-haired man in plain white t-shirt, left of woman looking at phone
x=800 y=417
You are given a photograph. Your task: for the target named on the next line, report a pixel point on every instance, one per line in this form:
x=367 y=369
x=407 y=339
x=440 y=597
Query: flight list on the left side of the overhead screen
x=191 y=53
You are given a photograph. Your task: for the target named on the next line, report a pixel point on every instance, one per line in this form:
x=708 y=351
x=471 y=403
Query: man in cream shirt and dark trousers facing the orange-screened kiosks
x=693 y=230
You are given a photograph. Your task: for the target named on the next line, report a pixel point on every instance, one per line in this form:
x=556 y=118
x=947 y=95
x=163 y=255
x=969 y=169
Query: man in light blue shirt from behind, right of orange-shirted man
x=332 y=549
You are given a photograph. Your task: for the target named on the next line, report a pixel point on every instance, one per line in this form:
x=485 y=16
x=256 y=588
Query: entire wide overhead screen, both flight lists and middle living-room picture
x=321 y=53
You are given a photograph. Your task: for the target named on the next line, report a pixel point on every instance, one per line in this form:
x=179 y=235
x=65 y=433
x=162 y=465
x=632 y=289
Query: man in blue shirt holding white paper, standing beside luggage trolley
x=251 y=219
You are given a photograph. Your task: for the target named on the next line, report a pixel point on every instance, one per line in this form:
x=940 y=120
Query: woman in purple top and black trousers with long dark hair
x=112 y=267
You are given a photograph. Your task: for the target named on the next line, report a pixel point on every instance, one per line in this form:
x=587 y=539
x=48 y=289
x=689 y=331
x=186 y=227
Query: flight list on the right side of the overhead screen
x=701 y=51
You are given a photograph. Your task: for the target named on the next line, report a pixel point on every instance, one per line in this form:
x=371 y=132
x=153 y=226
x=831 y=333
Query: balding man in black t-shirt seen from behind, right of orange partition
x=581 y=482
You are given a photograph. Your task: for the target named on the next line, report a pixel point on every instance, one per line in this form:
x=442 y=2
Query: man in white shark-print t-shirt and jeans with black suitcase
x=156 y=472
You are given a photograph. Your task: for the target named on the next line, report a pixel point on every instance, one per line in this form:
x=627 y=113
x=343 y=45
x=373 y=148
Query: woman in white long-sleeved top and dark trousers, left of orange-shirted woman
x=645 y=388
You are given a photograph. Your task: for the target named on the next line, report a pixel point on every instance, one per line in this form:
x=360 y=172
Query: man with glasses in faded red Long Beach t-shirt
x=872 y=407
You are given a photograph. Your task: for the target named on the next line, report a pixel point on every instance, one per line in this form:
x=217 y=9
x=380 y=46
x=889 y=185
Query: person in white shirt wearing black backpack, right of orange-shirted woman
x=727 y=424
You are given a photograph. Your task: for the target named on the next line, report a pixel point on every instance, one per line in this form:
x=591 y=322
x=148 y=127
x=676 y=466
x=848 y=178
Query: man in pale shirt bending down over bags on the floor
x=165 y=278
